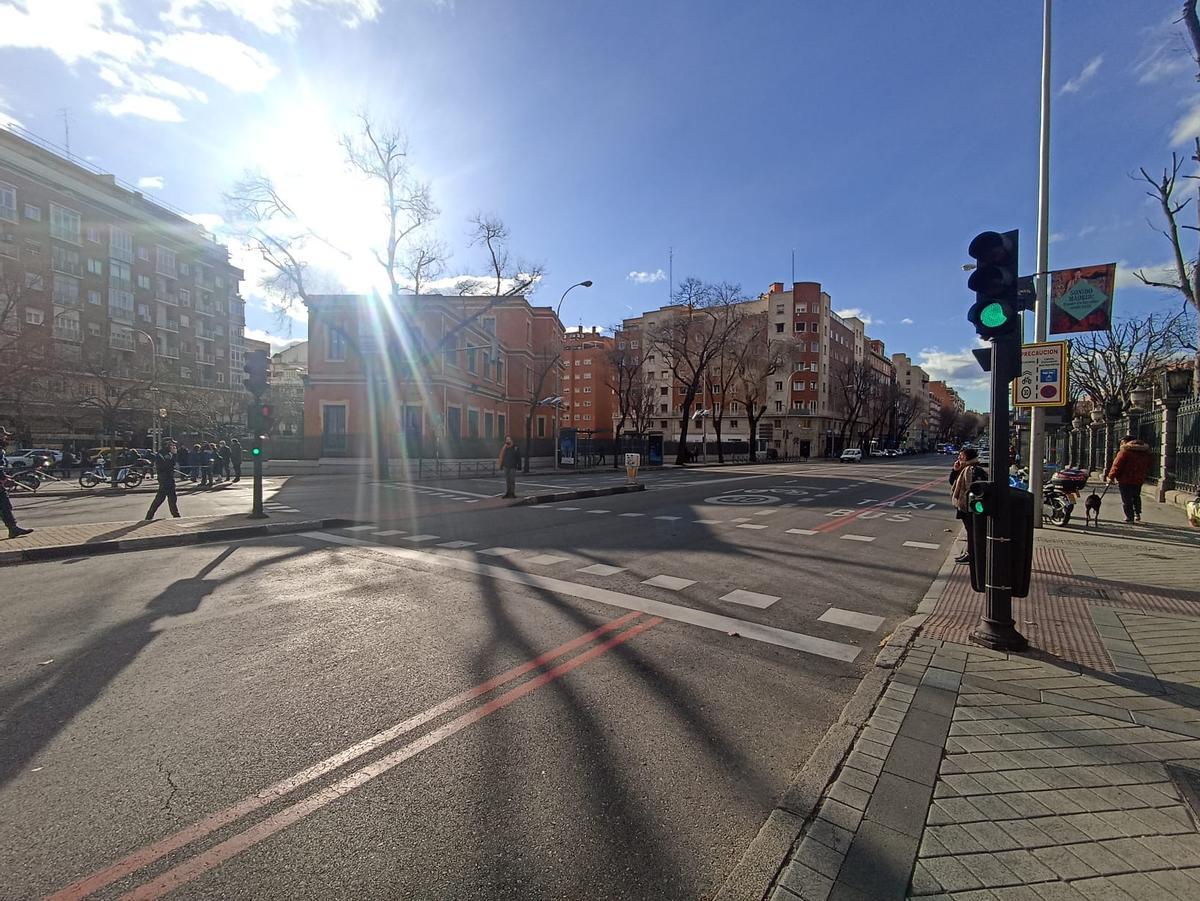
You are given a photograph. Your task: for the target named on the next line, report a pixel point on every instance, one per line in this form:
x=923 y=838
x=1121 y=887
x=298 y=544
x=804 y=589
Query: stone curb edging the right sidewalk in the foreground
x=771 y=850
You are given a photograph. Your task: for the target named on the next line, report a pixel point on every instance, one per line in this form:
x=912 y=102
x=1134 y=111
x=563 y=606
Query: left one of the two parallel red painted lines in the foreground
x=147 y=856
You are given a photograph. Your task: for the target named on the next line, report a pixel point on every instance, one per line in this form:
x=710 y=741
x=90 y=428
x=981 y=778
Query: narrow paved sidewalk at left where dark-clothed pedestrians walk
x=58 y=542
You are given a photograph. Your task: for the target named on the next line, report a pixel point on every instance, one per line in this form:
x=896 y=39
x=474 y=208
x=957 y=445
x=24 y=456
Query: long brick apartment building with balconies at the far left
x=128 y=307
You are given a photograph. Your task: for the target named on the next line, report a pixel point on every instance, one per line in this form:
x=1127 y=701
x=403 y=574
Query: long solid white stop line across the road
x=677 y=614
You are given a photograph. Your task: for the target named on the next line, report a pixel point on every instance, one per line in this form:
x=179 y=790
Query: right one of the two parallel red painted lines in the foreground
x=218 y=855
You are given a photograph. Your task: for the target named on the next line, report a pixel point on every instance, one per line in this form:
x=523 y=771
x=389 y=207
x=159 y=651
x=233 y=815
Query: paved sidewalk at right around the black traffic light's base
x=1063 y=774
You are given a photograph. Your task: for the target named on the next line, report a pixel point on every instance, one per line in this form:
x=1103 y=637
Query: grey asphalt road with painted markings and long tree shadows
x=596 y=699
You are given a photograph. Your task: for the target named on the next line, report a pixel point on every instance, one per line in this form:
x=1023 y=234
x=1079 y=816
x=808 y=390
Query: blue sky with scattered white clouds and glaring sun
x=632 y=141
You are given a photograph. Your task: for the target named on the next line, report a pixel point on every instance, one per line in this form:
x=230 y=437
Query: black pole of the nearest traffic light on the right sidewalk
x=997 y=629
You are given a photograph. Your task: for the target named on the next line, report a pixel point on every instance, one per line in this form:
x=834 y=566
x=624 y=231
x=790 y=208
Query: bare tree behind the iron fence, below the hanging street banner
x=1107 y=367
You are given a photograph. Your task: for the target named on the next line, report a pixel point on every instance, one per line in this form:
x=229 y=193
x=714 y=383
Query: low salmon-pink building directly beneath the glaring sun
x=440 y=376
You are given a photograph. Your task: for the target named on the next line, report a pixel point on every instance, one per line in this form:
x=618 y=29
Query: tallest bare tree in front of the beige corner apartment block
x=693 y=339
